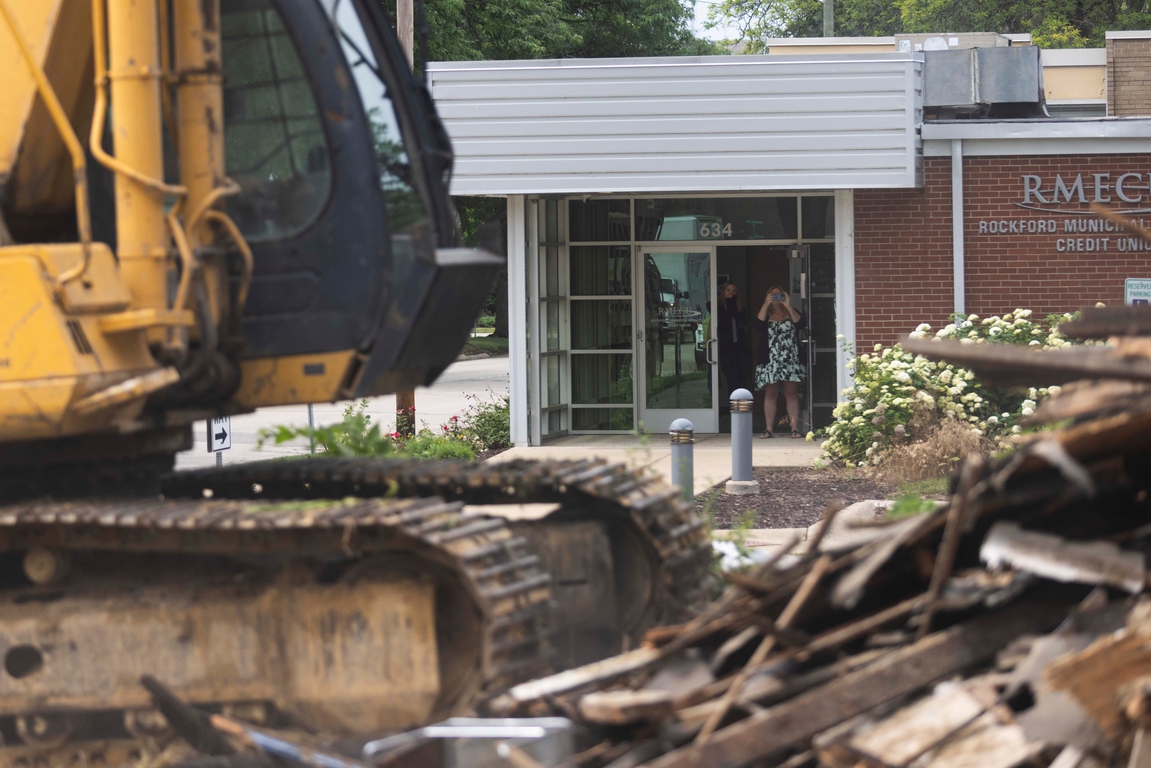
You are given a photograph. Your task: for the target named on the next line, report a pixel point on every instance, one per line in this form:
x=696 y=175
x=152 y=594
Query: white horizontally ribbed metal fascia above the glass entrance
x=682 y=125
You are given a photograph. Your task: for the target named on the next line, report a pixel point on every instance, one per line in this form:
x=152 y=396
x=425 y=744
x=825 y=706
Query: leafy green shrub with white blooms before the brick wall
x=900 y=398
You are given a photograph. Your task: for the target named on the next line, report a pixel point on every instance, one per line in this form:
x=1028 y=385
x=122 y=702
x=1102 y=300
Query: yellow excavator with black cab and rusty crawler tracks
x=210 y=207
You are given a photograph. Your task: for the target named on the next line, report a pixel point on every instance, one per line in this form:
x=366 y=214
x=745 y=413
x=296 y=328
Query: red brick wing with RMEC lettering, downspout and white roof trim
x=1049 y=256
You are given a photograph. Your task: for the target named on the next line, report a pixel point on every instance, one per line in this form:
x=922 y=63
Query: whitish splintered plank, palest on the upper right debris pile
x=1057 y=559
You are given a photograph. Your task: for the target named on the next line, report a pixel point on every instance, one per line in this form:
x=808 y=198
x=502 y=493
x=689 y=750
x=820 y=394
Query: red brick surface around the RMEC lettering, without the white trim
x=903 y=245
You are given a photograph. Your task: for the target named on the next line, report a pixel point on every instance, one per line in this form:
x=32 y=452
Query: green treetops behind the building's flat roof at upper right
x=1053 y=24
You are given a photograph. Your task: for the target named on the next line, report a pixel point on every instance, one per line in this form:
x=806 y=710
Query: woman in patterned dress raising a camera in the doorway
x=779 y=358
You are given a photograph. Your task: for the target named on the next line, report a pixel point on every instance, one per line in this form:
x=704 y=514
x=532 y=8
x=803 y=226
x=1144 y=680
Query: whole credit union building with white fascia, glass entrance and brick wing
x=637 y=189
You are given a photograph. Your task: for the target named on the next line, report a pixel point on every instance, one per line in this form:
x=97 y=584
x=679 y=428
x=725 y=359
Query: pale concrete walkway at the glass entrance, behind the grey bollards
x=713 y=454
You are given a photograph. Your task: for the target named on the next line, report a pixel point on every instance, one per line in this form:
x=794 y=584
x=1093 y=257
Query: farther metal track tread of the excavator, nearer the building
x=590 y=486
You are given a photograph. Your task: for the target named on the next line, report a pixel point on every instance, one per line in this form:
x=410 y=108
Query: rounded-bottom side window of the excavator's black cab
x=275 y=142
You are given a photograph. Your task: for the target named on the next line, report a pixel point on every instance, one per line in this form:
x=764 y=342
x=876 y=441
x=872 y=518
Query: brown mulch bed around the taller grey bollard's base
x=791 y=497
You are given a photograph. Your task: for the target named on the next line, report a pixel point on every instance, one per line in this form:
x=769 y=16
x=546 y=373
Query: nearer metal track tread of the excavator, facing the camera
x=513 y=591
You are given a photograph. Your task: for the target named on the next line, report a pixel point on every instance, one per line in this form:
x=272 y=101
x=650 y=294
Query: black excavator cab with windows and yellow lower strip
x=344 y=170
